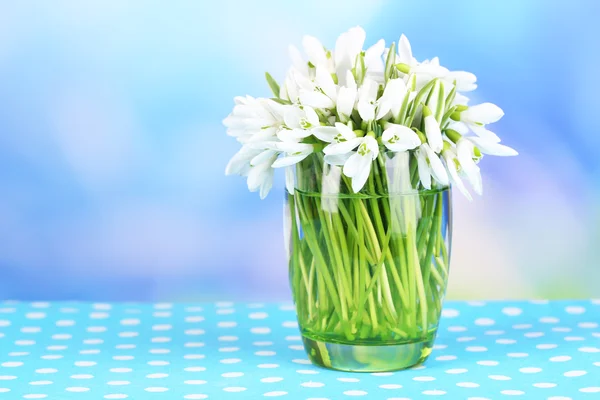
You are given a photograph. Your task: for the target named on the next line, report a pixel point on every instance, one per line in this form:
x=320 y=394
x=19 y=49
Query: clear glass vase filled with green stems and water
x=368 y=270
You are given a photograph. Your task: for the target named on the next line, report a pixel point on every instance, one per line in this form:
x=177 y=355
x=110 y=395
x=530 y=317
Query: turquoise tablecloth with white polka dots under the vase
x=493 y=350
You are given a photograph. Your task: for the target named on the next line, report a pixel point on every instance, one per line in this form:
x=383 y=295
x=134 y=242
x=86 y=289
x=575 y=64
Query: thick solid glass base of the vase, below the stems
x=367 y=358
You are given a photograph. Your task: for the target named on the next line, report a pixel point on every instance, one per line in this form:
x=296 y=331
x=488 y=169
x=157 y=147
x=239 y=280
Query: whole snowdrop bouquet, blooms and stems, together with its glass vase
x=370 y=141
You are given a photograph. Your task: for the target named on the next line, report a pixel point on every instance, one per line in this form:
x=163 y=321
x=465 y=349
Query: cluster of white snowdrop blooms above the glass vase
x=355 y=105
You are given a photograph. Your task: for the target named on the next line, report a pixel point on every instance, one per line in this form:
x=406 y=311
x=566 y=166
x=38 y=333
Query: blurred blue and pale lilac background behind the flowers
x=112 y=152
